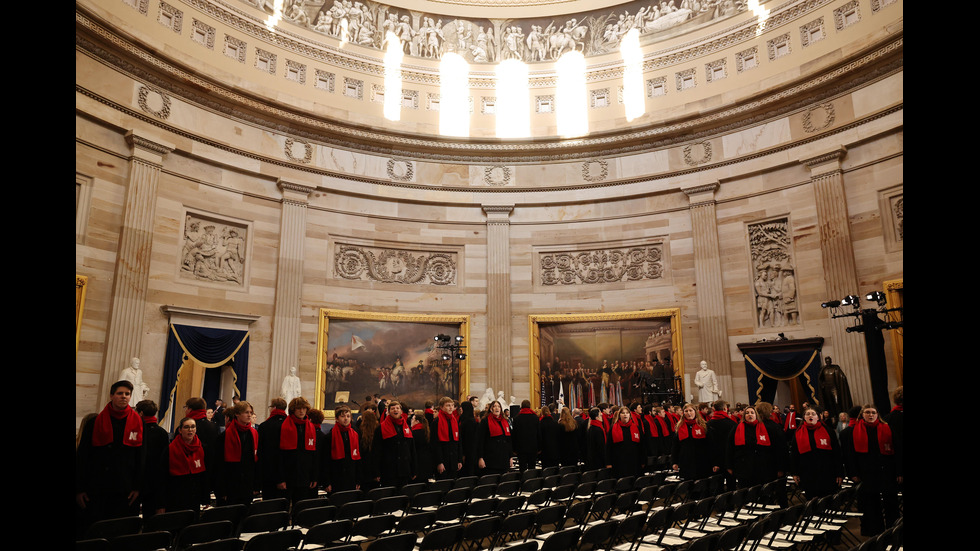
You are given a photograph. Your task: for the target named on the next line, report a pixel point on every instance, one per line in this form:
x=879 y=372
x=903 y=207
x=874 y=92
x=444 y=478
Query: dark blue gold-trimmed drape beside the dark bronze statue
x=764 y=370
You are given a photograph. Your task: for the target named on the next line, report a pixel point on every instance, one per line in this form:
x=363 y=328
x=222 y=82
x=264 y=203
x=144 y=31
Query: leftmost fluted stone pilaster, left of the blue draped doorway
x=133 y=256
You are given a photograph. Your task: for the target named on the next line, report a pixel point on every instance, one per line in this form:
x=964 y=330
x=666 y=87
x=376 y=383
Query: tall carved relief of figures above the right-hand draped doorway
x=774 y=272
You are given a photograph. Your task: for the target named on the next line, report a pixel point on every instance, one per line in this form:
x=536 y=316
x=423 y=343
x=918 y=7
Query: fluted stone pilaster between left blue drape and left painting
x=289 y=288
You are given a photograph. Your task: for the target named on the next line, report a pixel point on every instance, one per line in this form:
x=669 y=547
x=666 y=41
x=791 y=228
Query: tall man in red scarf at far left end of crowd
x=109 y=461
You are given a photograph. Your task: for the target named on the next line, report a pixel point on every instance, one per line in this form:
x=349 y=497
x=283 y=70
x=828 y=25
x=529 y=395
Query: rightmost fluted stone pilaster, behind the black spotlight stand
x=839 y=270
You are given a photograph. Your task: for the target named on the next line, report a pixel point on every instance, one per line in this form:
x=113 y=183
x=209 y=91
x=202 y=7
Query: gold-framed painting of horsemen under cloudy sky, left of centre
x=397 y=356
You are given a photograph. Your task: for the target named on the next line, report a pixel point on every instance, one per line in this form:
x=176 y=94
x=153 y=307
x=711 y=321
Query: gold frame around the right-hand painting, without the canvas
x=536 y=320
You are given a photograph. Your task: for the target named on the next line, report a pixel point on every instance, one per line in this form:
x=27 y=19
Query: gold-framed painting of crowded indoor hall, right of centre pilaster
x=586 y=359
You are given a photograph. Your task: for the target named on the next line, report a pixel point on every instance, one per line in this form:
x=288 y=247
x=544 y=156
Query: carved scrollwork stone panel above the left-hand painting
x=358 y=263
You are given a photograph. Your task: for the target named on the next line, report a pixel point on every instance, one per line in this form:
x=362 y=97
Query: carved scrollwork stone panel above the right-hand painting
x=602 y=266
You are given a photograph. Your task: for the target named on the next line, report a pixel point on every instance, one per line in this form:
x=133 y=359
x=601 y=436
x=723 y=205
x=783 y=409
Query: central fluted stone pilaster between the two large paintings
x=500 y=375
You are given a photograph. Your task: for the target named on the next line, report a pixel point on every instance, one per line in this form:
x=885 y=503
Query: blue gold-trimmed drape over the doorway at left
x=207 y=348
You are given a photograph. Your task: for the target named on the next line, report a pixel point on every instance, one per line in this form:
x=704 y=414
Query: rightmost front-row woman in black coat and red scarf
x=869 y=460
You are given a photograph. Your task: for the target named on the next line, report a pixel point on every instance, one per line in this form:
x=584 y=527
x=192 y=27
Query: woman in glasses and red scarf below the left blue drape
x=186 y=470
